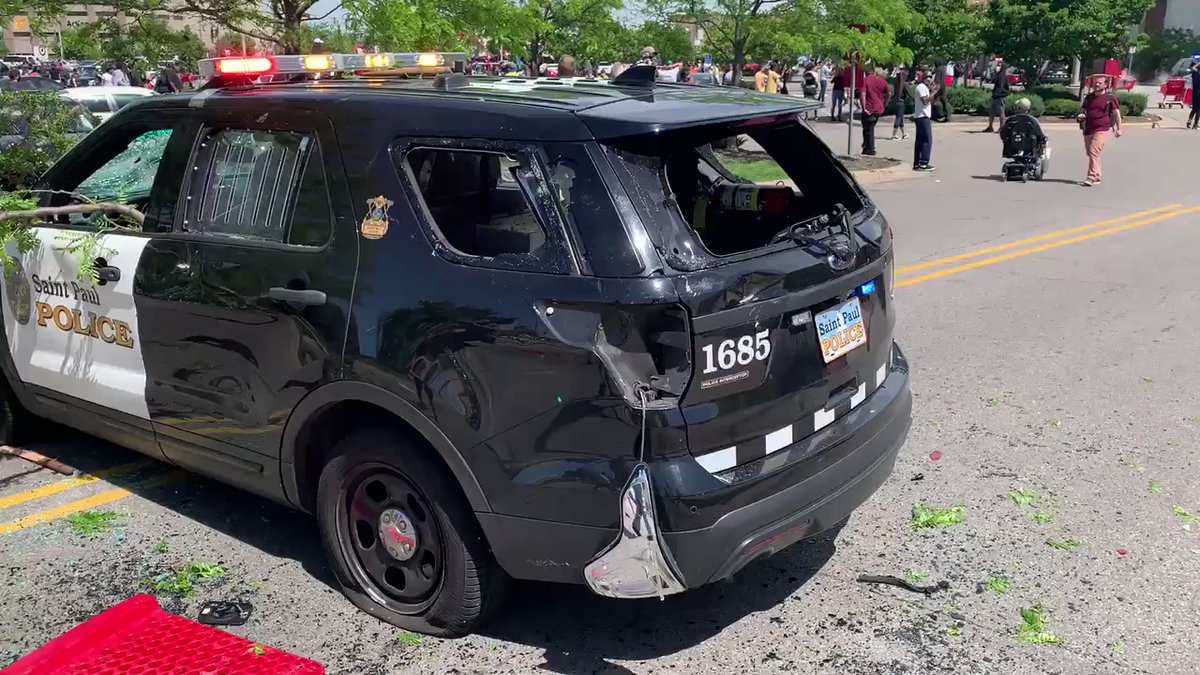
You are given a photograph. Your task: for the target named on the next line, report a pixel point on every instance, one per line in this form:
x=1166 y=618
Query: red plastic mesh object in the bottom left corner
x=139 y=638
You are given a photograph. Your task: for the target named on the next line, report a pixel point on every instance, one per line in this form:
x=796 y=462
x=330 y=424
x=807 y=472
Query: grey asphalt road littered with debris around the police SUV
x=1064 y=367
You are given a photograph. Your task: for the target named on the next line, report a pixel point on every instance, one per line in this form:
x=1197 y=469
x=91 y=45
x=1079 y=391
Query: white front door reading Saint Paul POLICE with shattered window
x=71 y=320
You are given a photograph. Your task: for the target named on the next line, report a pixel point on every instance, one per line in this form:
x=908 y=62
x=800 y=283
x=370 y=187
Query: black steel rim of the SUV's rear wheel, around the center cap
x=406 y=587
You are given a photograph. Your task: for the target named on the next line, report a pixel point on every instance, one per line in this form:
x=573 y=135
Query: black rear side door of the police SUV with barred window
x=251 y=292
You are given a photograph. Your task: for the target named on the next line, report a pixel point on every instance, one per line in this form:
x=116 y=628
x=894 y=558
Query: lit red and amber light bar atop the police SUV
x=229 y=71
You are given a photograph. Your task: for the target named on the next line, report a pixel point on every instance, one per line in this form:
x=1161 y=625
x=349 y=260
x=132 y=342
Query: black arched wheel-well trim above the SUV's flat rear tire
x=351 y=391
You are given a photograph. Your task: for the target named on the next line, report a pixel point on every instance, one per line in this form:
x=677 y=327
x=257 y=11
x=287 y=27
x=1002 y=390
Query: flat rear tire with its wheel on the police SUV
x=451 y=583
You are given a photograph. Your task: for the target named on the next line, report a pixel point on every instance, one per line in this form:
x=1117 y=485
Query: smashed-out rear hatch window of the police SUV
x=731 y=190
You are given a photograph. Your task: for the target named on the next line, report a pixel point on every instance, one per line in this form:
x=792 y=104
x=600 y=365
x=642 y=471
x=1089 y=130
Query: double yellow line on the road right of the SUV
x=1055 y=240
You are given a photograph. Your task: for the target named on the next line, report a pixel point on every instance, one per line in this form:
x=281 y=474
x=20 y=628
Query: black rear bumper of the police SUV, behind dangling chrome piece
x=802 y=499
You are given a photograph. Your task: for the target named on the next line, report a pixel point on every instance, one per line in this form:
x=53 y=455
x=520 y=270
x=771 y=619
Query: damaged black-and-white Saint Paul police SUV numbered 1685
x=482 y=328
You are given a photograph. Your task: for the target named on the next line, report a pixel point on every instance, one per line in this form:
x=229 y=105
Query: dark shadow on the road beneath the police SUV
x=579 y=631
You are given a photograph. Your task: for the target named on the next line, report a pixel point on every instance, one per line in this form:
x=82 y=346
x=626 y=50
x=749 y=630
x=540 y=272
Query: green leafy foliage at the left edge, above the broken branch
x=50 y=126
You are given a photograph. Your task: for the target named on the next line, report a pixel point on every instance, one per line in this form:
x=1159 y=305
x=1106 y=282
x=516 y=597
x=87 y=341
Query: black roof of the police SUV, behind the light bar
x=523 y=109
